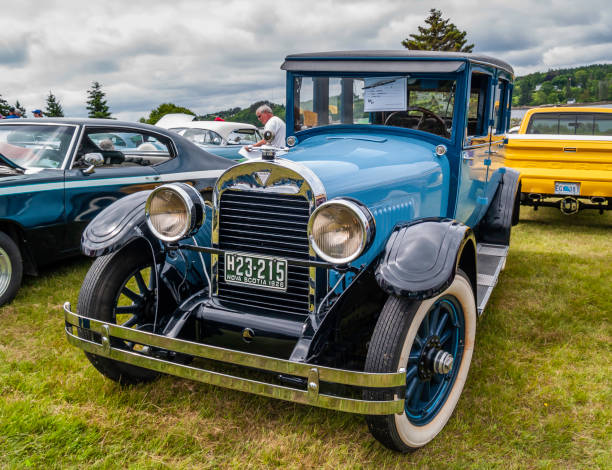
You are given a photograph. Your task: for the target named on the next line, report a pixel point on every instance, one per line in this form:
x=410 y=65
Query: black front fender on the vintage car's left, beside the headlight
x=118 y=225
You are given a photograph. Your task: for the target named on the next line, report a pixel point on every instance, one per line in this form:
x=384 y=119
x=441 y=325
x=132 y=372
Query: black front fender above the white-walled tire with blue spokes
x=421 y=258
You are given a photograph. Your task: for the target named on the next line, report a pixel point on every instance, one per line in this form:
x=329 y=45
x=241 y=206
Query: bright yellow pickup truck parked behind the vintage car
x=564 y=155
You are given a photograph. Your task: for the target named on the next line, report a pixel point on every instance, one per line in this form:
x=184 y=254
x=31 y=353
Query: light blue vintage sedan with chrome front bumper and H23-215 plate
x=347 y=273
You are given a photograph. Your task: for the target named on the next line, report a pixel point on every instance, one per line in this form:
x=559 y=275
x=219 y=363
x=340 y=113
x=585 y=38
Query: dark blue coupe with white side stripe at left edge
x=57 y=174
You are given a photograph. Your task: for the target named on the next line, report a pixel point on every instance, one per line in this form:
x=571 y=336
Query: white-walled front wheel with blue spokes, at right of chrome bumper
x=433 y=341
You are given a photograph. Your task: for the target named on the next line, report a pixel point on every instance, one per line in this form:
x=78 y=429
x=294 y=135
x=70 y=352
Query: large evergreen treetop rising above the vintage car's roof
x=440 y=35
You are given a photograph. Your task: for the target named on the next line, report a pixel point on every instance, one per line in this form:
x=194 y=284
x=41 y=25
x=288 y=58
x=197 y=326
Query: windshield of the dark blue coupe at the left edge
x=35 y=146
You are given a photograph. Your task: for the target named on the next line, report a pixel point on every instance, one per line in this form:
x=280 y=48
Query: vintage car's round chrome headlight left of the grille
x=174 y=211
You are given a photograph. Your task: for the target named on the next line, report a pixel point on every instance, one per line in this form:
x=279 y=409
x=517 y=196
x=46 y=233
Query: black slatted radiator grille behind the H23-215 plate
x=272 y=225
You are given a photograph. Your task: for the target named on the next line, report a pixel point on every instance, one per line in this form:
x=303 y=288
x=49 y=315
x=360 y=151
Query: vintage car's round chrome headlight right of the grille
x=340 y=230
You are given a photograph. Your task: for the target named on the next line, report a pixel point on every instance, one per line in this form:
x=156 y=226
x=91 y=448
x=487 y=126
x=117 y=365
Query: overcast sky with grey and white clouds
x=211 y=55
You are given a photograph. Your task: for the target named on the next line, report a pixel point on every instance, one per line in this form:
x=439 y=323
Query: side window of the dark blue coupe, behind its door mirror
x=120 y=147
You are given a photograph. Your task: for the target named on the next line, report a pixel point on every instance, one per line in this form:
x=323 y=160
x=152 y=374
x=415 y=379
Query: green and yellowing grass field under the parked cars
x=539 y=393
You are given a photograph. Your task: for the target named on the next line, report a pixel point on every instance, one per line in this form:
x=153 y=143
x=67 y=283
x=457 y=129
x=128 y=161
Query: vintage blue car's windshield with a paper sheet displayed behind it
x=423 y=103
